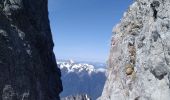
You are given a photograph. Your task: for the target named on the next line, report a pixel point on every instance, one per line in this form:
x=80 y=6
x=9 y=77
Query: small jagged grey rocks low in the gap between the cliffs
x=77 y=97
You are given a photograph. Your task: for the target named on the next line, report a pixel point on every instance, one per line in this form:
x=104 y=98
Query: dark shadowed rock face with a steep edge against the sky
x=27 y=62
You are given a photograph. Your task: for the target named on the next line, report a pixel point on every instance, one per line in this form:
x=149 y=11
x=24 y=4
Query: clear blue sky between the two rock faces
x=82 y=29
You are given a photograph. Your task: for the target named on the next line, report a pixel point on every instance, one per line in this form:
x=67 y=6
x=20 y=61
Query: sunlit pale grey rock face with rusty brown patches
x=139 y=62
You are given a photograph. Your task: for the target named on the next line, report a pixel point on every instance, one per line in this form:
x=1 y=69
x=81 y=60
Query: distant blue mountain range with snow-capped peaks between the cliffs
x=82 y=78
